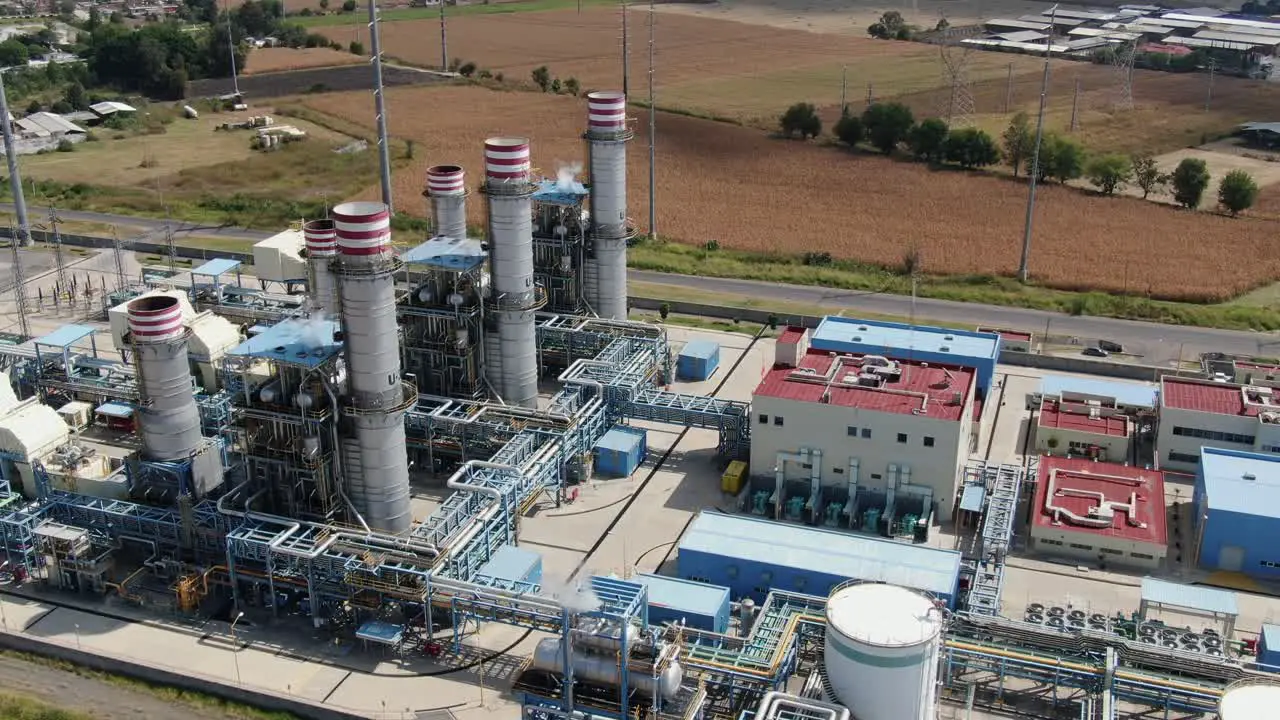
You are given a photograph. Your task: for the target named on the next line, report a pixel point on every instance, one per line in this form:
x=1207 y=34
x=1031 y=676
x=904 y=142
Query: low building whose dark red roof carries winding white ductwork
x=1100 y=513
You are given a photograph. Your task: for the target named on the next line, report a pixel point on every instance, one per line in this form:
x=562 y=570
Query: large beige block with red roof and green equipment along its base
x=865 y=427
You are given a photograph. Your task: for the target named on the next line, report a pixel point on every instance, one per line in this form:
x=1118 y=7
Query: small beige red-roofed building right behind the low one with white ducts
x=1095 y=430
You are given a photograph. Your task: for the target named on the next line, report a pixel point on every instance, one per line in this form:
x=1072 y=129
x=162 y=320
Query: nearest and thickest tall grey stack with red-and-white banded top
x=378 y=467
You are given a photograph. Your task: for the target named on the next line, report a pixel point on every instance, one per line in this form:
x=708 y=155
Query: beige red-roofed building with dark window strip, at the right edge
x=1196 y=414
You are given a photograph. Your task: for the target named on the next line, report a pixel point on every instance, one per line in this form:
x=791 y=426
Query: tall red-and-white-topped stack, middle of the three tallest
x=514 y=297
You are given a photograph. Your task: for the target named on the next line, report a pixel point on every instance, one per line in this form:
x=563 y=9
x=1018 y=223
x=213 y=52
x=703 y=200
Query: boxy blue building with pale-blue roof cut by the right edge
x=1237 y=504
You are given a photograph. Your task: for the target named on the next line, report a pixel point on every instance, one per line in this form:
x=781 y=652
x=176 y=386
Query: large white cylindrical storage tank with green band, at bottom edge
x=883 y=651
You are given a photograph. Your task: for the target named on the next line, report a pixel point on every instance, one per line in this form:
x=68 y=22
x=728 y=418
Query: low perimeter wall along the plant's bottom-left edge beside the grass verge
x=173 y=678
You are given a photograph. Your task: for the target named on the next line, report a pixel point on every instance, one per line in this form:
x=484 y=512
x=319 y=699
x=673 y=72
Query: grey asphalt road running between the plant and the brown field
x=1151 y=343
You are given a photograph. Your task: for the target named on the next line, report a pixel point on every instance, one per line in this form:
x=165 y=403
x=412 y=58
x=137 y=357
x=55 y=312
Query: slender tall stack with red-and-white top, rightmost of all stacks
x=607 y=138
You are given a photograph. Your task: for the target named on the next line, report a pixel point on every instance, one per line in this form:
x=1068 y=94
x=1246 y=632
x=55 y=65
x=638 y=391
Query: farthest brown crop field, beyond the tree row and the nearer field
x=706 y=66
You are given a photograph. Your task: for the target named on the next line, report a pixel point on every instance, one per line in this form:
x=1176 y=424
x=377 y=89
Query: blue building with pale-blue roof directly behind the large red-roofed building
x=918 y=344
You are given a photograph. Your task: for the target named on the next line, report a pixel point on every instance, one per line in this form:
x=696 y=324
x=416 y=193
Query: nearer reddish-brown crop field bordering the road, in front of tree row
x=752 y=193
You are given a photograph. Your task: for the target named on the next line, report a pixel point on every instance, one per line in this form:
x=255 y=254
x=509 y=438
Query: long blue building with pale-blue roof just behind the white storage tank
x=753 y=557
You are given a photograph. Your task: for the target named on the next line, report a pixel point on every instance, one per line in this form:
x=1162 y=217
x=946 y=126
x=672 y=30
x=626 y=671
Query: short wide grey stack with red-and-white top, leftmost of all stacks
x=168 y=416
